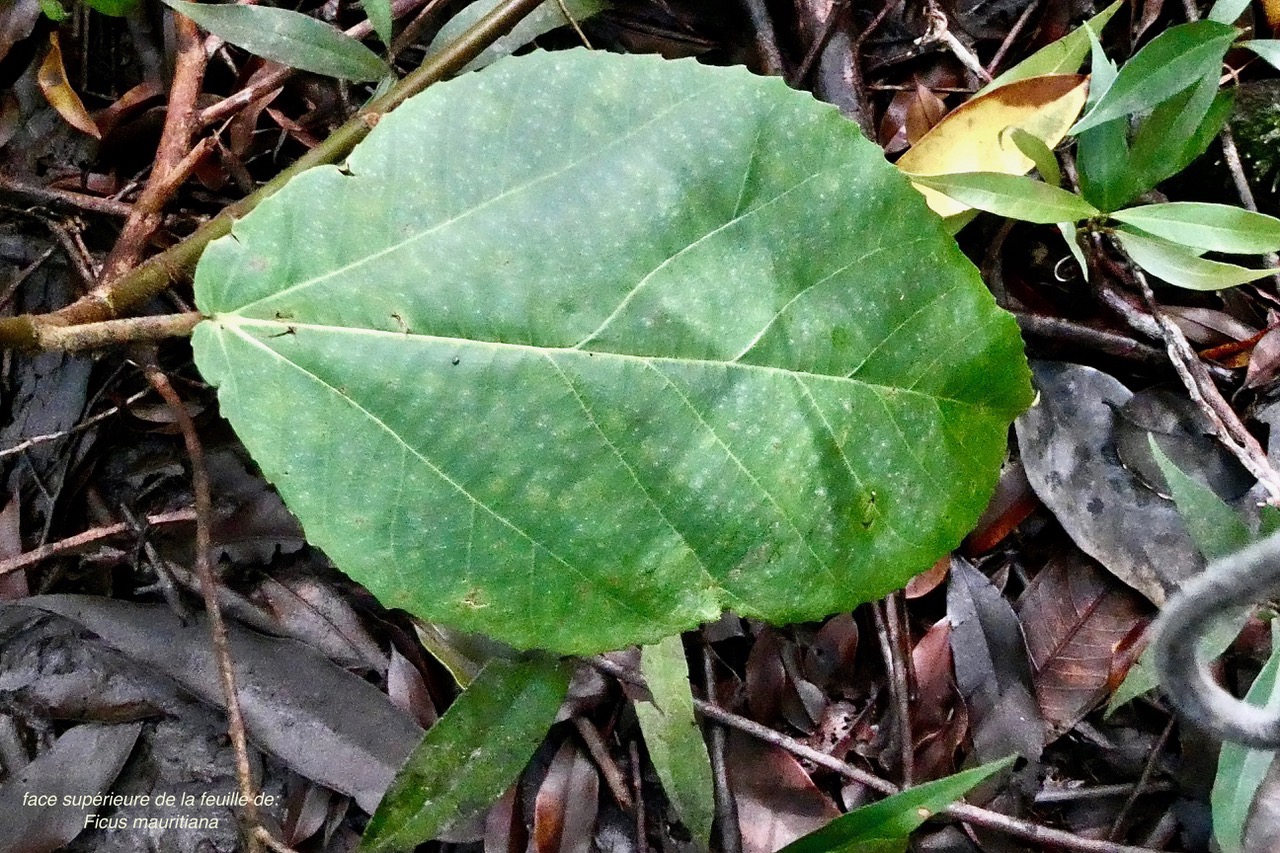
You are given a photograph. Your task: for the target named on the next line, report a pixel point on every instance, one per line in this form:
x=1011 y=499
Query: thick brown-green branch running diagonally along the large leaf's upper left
x=157 y=275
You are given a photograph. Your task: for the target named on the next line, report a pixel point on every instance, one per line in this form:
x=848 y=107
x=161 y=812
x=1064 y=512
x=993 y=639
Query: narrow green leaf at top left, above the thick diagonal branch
x=287 y=38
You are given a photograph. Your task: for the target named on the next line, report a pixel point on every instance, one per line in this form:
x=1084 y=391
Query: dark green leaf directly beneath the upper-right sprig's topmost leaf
x=1177 y=133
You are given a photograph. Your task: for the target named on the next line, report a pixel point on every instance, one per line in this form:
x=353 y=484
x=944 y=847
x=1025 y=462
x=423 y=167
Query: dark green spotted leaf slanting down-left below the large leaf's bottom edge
x=472 y=755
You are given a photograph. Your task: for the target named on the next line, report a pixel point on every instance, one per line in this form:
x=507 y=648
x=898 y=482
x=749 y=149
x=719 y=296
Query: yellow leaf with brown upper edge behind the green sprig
x=973 y=136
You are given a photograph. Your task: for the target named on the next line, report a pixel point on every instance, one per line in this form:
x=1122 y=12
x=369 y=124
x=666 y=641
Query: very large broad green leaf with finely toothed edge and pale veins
x=584 y=349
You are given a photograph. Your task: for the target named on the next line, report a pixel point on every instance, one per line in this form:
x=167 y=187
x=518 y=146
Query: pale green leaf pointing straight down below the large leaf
x=674 y=740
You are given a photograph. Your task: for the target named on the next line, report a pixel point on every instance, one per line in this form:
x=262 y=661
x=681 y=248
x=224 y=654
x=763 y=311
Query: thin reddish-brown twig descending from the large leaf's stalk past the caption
x=209 y=592
